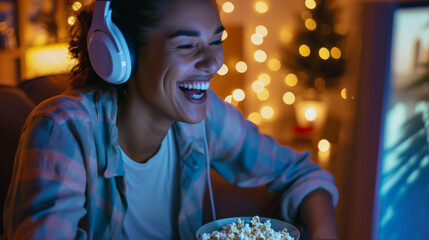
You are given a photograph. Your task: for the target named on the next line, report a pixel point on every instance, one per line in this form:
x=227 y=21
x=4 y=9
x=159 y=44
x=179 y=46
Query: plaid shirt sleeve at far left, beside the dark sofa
x=46 y=195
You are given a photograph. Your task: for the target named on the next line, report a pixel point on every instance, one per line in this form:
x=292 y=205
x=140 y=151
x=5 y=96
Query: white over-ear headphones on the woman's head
x=108 y=50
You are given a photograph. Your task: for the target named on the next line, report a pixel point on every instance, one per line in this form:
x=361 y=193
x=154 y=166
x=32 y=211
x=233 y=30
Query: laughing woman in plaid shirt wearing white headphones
x=126 y=151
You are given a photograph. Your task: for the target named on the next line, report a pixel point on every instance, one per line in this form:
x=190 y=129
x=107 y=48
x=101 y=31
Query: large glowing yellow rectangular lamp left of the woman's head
x=48 y=60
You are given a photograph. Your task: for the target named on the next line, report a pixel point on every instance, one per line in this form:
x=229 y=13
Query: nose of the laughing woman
x=209 y=60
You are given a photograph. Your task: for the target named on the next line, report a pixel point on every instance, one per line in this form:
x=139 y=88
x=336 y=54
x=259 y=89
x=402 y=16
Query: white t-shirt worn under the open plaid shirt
x=153 y=194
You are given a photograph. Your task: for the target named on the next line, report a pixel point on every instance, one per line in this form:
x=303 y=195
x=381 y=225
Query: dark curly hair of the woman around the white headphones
x=133 y=18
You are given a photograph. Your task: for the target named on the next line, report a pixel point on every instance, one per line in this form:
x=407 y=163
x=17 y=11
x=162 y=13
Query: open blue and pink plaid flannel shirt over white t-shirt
x=68 y=178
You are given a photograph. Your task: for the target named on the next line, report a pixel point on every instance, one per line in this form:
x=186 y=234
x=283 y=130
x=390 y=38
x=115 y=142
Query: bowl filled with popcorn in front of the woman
x=248 y=228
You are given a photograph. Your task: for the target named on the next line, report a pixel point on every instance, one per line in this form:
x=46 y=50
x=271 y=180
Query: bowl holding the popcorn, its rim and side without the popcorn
x=276 y=225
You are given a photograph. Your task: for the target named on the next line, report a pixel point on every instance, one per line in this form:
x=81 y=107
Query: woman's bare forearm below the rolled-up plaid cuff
x=318 y=216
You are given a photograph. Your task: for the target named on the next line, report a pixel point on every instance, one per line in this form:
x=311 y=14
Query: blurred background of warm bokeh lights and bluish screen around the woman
x=347 y=80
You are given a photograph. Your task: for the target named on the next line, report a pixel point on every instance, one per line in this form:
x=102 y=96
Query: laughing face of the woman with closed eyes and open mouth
x=183 y=54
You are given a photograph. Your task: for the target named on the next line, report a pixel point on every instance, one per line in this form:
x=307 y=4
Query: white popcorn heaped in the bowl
x=243 y=231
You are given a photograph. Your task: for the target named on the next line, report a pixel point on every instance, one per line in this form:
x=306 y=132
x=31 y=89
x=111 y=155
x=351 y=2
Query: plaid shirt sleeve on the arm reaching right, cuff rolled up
x=247 y=158
